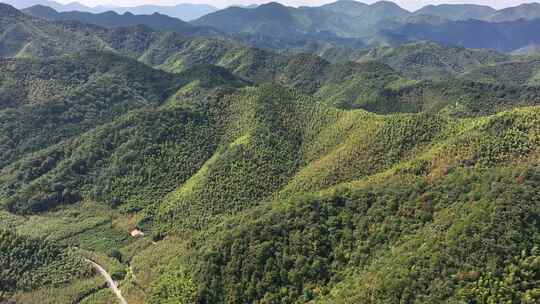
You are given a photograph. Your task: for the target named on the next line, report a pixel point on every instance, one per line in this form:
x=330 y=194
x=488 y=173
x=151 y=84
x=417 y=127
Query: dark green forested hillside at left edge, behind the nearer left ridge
x=51 y=100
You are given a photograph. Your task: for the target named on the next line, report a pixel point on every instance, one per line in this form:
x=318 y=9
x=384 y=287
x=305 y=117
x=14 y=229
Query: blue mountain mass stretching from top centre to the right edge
x=378 y=24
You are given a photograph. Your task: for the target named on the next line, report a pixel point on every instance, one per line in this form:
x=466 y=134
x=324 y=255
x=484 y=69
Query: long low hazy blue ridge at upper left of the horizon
x=155 y=21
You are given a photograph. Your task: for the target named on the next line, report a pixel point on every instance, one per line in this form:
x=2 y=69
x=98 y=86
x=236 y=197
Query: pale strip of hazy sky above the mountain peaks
x=409 y=4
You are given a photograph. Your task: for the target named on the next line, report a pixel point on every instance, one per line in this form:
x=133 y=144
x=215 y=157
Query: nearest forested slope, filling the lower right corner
x=461 y=209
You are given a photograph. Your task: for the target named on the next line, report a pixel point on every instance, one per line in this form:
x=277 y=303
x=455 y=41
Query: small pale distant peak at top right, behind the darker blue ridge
x=457 y=11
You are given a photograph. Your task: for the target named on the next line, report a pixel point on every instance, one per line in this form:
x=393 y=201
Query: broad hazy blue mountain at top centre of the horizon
x=274 y=19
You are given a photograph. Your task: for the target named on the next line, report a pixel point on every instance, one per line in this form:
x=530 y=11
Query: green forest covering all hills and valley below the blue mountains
x=408 y=176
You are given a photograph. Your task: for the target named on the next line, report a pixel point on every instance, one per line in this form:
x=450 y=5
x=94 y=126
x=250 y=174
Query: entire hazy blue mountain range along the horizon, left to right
x=343 y=23
